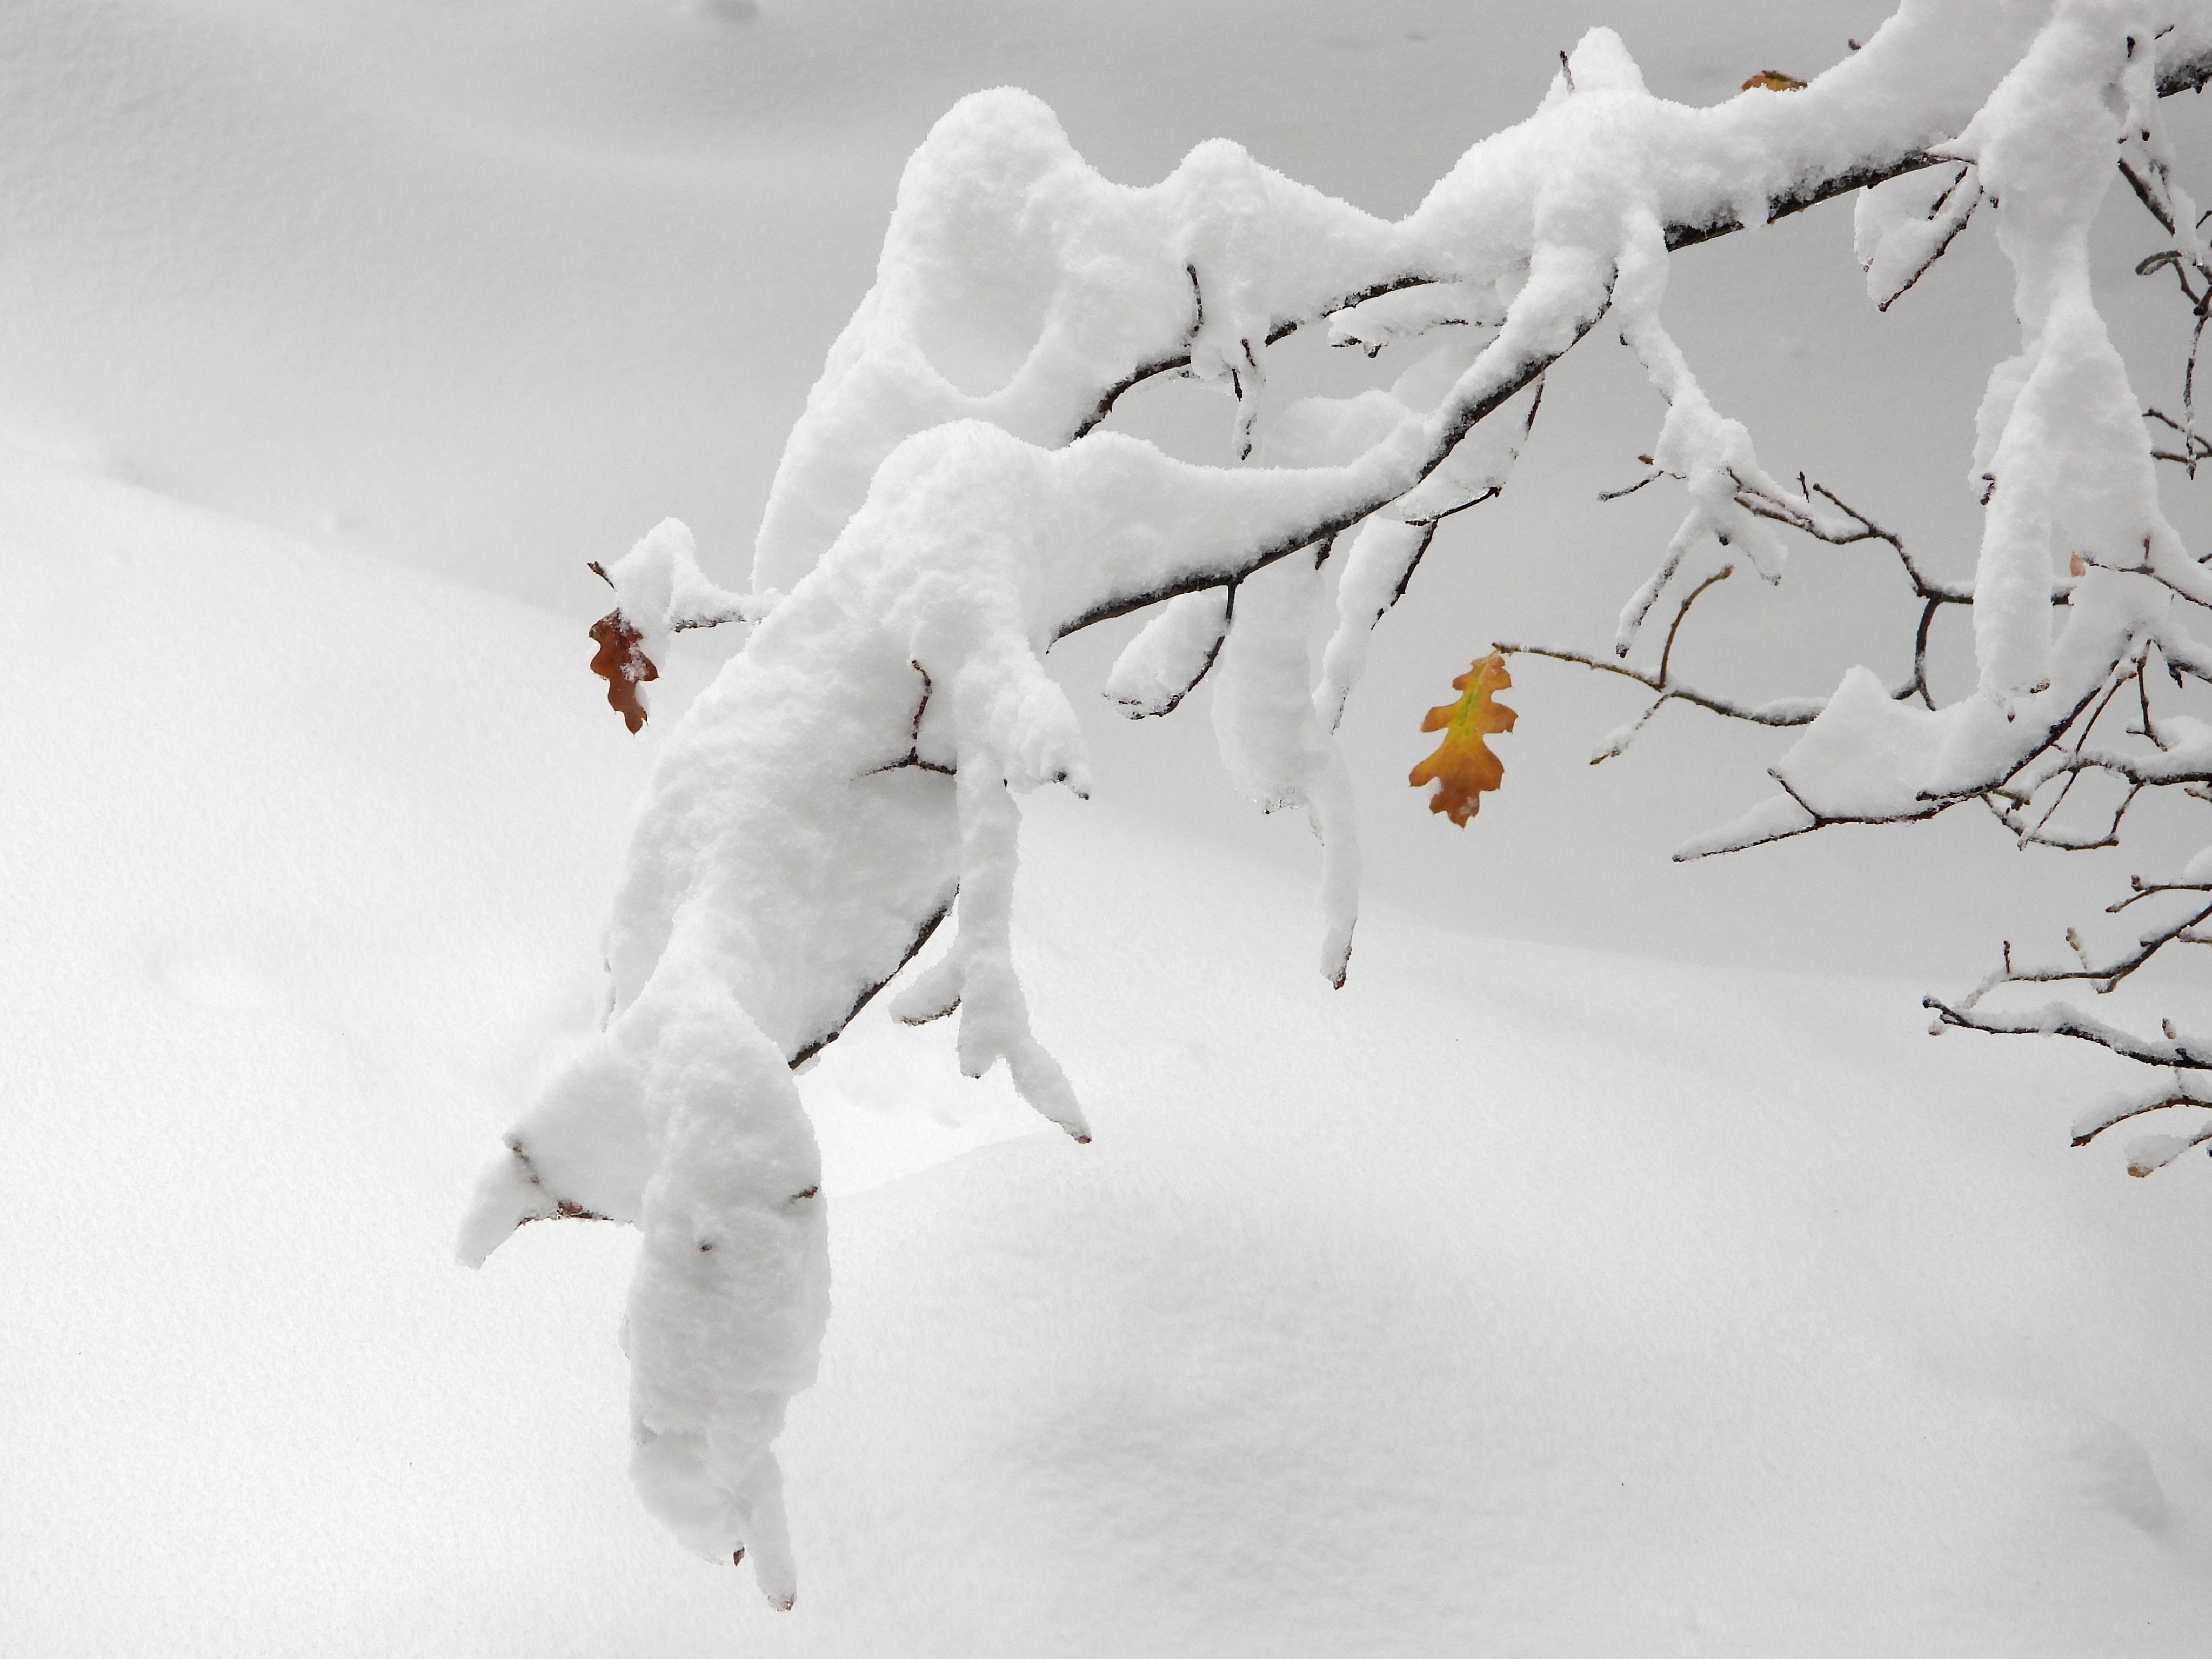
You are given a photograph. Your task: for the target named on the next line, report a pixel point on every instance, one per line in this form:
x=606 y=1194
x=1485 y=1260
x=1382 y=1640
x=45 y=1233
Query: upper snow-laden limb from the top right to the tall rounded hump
x=1019 y=286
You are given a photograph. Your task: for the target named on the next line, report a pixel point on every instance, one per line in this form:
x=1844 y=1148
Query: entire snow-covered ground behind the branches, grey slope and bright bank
x=1516 y=1300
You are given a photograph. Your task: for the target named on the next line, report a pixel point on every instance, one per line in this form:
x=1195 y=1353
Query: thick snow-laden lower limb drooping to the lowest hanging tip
x=822 y=804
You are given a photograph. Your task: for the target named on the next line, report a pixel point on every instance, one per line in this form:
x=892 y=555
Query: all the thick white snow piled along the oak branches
x=950 y=505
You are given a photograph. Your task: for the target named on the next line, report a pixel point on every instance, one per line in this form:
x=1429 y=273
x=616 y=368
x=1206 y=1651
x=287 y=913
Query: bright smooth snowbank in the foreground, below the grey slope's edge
x=1512 y=1300
